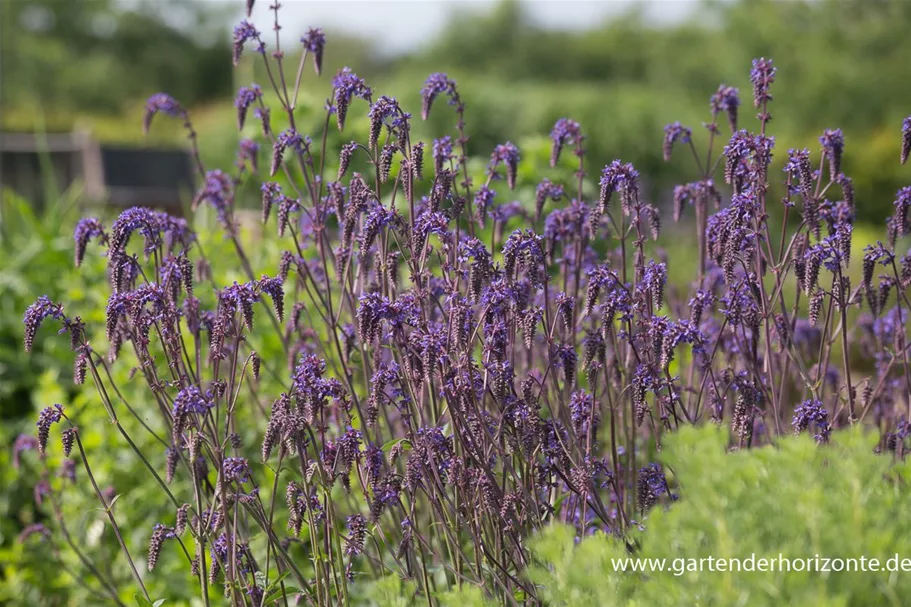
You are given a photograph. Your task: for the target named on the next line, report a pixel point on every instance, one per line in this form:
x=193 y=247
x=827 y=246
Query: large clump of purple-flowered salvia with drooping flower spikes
x=462 y=372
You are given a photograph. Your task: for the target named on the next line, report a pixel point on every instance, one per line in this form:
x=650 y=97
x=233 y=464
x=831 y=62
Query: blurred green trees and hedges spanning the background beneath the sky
x=842 y=63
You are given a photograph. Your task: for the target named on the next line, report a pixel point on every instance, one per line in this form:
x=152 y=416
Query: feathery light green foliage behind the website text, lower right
x=796 y=499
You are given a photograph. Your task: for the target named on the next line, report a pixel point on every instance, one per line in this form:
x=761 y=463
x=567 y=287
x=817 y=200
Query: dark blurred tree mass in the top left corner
x=92 y=55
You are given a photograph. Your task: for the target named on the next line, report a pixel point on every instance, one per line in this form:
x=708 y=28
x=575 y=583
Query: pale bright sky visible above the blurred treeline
x=402 y=25
